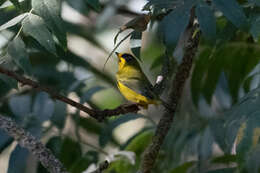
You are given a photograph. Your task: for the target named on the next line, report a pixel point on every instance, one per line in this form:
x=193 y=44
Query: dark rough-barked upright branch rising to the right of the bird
x=164 y=125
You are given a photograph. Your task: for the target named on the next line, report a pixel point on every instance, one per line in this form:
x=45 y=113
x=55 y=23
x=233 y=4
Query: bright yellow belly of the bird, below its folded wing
x=133 y=96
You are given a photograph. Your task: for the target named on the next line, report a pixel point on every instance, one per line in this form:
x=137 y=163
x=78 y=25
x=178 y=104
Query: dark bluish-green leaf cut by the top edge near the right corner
x=233 y=11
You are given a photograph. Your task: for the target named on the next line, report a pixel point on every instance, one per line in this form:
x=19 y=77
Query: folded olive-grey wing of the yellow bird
x=139 y=85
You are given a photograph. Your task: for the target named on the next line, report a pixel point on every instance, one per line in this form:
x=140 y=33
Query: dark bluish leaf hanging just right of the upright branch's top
x=207 y=21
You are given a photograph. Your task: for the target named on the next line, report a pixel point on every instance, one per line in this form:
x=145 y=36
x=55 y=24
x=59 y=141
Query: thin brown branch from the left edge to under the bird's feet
x=100 y=115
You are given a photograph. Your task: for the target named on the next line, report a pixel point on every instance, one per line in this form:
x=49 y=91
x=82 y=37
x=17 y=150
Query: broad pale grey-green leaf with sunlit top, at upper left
x=34 y=26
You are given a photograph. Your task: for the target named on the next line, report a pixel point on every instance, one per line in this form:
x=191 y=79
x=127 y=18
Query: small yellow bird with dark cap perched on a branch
x=132 y=82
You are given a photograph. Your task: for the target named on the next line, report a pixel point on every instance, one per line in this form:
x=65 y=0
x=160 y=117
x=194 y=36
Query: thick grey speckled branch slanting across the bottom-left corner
x=26 y=140
